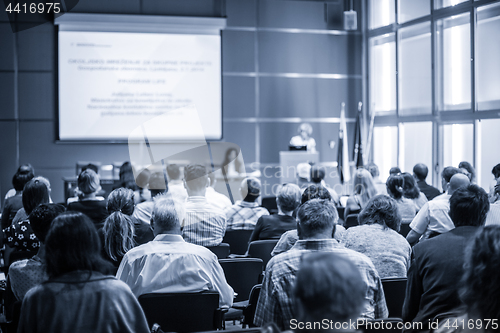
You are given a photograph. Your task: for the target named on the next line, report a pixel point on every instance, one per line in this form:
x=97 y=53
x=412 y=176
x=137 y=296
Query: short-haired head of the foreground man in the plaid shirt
x=317 y=216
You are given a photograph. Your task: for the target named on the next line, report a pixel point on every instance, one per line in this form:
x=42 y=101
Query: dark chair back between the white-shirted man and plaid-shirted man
x=242 y=274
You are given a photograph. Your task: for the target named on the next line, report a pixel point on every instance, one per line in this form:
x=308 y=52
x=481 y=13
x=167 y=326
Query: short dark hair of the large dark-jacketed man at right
x=469 y=206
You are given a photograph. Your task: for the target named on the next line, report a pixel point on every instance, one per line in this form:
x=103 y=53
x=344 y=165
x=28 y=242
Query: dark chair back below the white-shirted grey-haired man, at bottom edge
x=183 y=312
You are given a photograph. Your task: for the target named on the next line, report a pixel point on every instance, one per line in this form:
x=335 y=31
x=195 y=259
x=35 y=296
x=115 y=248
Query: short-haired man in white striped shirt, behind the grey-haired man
x=203 y=223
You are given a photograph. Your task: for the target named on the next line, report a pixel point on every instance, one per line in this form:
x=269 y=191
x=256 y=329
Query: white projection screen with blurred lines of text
x=117 y=72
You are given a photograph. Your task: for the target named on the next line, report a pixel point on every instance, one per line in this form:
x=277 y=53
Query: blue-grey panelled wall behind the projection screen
x=282 y=61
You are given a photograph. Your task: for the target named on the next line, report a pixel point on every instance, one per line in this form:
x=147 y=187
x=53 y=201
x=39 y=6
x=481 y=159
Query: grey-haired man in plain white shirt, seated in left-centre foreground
x=169 y=264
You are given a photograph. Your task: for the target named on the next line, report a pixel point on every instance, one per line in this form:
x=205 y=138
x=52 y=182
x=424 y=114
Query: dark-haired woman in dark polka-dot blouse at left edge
x=20 y=235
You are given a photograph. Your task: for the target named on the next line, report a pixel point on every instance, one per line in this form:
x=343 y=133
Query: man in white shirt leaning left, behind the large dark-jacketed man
x=433 y=219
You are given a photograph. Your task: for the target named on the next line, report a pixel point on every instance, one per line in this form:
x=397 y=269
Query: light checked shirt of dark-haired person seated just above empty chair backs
x=243 y=215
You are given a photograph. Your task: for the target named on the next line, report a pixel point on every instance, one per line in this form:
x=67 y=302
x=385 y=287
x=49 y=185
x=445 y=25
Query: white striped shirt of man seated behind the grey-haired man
x=203 y=224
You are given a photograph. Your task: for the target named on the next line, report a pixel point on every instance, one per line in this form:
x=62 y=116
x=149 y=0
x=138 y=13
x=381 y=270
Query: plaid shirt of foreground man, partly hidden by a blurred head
x=275 y=302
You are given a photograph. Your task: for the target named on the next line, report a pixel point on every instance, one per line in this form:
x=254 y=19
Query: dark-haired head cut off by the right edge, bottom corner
x=481 y=291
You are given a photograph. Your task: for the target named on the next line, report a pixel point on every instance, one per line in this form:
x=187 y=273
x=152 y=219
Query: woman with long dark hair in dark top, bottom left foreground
x=79 y=296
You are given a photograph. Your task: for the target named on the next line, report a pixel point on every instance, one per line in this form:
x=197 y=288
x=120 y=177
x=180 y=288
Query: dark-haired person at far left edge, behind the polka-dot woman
x=14 y=199
